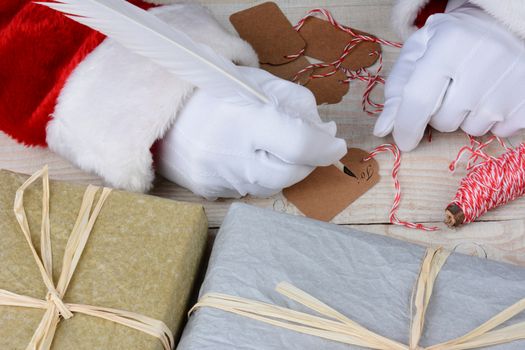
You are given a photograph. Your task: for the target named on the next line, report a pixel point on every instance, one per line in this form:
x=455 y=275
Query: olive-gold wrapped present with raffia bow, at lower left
x=90 y=268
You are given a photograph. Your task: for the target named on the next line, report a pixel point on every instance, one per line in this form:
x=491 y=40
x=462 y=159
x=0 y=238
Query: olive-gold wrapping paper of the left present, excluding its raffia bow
x=142 y=256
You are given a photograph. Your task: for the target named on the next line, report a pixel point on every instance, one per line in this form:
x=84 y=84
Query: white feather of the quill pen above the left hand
x=145 y=34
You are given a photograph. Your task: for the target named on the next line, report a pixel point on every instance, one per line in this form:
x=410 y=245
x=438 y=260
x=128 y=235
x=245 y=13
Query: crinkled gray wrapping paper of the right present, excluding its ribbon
x=368 y=278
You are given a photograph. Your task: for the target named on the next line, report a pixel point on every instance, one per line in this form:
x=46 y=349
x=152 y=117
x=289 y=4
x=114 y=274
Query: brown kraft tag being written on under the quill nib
x=327 y=191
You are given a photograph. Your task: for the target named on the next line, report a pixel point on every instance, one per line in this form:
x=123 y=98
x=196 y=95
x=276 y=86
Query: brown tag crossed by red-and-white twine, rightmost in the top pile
x=327 y=43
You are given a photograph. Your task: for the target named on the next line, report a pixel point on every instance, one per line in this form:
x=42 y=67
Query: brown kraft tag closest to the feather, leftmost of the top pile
x=270 y=33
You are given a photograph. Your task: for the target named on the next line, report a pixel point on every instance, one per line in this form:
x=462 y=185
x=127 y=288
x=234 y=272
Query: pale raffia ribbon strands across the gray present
x=337 y=327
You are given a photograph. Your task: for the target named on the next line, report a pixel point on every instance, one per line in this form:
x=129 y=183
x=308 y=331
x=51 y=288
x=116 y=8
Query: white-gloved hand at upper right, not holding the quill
x=463 y=69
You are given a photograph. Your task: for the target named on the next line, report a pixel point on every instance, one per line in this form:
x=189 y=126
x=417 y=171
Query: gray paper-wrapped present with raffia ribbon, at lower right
x=276 y=281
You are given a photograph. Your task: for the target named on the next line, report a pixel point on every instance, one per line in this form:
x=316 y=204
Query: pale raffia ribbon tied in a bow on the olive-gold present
x=55 y=307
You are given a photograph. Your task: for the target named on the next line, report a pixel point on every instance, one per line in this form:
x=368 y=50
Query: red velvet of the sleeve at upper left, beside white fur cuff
x=39 y=49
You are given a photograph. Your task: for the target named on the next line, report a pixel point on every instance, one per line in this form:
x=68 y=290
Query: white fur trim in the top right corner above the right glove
x=510 y=12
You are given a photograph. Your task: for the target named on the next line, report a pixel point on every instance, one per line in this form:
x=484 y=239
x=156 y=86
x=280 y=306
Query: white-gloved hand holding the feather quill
x=219 y=149
